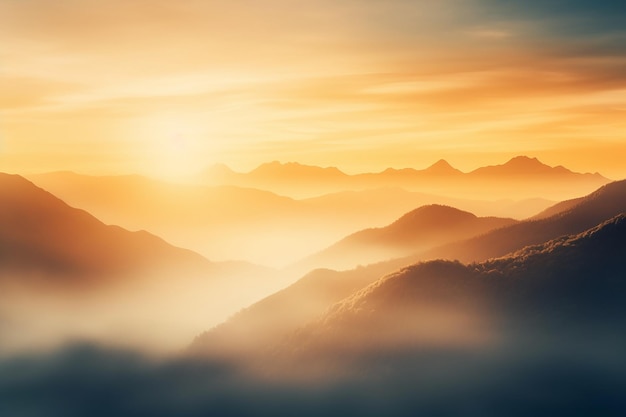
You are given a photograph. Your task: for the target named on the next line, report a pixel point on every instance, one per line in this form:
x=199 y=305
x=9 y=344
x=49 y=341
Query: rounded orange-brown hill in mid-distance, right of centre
x=423 y=228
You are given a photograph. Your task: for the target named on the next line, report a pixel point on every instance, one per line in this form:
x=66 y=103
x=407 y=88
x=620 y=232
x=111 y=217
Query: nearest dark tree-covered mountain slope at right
x=573 y=283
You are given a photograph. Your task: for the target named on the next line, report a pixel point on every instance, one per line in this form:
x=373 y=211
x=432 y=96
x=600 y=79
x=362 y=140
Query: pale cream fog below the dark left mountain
x=157 y=312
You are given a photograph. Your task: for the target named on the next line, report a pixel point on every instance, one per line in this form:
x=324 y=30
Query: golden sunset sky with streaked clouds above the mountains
x=167 y=88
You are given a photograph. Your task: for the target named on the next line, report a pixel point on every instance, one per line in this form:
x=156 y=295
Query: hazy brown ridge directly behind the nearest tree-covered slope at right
x=261 y=323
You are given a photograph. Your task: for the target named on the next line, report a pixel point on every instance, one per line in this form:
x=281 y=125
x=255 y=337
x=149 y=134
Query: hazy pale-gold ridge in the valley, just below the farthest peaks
x=229 y=222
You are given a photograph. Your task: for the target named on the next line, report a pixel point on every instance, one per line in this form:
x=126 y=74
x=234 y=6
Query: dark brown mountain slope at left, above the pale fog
x=41 y=234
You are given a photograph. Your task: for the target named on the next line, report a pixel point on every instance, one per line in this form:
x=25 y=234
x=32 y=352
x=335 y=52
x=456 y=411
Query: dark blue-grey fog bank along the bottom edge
x=574 y=376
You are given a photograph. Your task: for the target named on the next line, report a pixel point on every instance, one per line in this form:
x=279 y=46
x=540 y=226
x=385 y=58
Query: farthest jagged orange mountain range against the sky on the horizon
x=520 y=177
